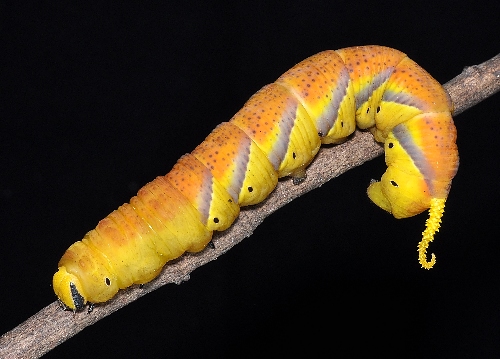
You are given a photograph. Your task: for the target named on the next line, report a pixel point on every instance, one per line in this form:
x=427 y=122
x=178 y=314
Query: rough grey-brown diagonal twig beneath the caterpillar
x=51 y=326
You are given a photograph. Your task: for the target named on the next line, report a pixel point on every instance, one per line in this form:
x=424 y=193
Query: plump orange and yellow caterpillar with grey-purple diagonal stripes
x=277 y=133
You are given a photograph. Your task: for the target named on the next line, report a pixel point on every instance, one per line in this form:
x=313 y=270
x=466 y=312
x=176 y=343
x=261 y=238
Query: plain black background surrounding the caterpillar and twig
x=99 y=99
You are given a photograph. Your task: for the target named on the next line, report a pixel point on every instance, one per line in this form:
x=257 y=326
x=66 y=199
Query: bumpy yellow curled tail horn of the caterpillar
x=432 y=226
